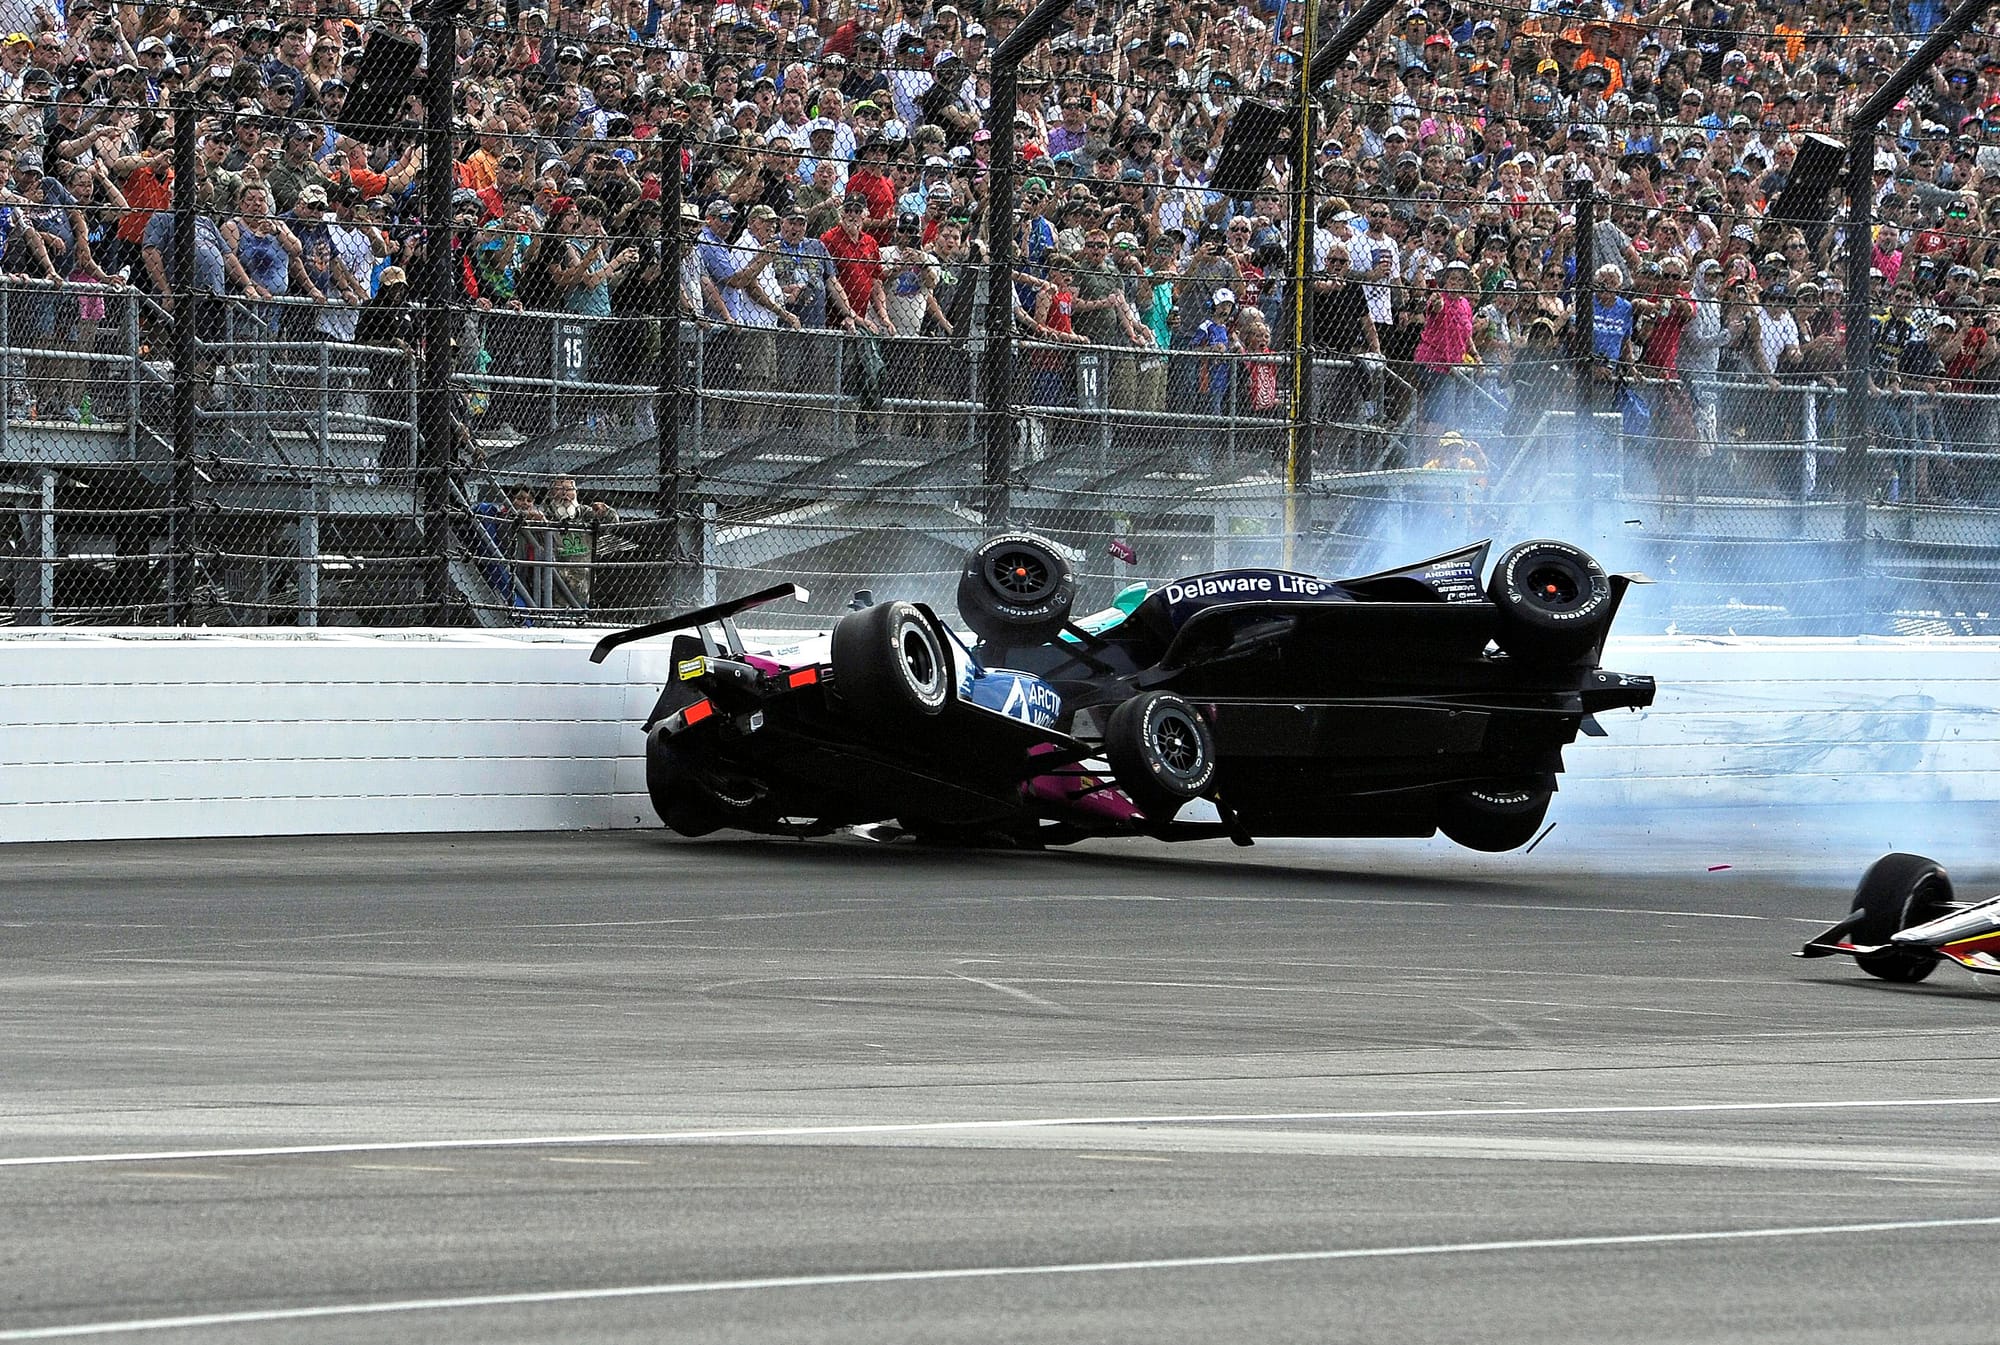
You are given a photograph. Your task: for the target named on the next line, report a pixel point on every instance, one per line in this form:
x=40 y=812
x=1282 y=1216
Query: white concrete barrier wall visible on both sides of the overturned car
x=175 y=734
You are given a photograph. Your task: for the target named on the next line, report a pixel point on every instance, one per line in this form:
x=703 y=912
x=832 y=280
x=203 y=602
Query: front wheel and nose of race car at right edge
x=1905 y=922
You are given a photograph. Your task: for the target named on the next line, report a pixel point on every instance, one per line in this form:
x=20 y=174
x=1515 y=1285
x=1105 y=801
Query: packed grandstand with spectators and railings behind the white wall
x=725 y=271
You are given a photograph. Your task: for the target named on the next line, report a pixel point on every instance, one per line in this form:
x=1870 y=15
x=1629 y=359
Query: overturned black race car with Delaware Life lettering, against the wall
x=1239 y=704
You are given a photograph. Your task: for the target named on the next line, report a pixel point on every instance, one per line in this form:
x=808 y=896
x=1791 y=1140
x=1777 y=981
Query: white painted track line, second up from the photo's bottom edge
x=963 y=1128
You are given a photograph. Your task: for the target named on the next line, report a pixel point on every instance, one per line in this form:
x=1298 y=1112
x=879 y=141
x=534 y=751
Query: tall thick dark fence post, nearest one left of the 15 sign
x=435 y=409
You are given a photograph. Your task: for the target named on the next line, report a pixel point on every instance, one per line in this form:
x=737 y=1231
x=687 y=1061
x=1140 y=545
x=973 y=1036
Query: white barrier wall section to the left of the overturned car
x=173 y=734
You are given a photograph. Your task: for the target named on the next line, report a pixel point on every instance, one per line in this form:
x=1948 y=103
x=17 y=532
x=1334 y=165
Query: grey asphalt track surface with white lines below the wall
x=619 y=1088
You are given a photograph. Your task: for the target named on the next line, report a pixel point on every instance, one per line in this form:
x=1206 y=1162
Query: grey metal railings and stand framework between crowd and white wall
x=857 y=457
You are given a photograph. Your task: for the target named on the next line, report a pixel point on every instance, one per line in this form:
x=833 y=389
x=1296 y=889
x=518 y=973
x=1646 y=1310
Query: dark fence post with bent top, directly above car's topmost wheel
x=999 y=369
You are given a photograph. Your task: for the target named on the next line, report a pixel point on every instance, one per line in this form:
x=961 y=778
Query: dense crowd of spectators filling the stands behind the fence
x=837 y=167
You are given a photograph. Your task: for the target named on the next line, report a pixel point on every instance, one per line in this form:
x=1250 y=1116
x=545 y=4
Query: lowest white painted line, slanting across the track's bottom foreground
x=977 y=1272
